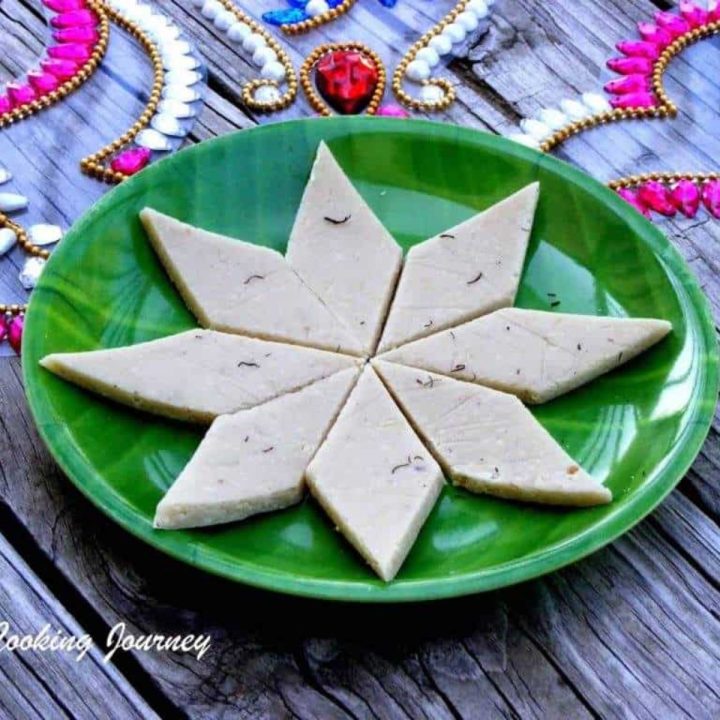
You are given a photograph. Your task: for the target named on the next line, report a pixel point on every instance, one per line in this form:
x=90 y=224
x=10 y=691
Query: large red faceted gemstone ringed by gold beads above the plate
x=347 y=80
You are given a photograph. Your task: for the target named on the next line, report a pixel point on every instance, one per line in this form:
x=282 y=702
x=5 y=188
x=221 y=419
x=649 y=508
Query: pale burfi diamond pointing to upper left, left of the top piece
x=243 y=288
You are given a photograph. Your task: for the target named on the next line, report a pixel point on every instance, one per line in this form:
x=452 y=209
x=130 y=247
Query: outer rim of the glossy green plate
x=612 y=526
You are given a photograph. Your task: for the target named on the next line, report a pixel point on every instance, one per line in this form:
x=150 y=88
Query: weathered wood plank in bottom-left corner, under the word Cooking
x=53 y=684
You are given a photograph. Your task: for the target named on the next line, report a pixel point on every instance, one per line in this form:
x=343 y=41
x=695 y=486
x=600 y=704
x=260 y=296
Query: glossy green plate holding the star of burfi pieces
x=638 y=429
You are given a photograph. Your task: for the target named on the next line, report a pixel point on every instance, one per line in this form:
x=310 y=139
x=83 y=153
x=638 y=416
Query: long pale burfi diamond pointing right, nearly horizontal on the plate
x=533 y=354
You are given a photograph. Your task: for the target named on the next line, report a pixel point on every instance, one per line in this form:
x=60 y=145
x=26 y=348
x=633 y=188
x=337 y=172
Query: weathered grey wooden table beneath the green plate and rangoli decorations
x=630 y=632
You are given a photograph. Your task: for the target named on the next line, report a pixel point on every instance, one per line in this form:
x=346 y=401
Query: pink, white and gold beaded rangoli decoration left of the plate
x=80 y=34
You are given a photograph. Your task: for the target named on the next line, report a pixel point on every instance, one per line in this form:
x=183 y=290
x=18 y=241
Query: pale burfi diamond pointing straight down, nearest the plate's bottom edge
x=375 y=478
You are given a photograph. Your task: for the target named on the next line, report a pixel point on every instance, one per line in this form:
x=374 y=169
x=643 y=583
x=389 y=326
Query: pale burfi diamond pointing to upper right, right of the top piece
x=464 y=272
